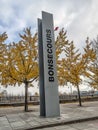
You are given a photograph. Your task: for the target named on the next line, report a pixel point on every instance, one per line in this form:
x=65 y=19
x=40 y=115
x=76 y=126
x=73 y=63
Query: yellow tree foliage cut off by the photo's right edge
x=90 y=56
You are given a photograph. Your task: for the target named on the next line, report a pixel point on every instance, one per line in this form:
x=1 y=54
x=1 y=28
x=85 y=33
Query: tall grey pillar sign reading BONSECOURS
x=49 y=97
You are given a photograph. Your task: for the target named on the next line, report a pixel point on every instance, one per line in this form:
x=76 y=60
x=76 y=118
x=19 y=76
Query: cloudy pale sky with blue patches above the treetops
x=78 y=17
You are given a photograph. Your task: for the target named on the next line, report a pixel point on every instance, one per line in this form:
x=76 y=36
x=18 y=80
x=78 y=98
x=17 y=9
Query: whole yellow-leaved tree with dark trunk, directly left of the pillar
x=21 y=62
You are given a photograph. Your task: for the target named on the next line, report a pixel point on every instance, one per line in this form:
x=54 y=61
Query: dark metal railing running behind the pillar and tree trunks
x=21 y=99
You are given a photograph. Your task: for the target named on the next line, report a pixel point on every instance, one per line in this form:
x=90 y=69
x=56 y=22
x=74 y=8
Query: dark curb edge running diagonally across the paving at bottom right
x=63 y=123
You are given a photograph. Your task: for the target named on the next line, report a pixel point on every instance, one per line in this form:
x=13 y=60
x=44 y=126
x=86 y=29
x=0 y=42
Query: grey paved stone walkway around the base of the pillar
x=14 y=118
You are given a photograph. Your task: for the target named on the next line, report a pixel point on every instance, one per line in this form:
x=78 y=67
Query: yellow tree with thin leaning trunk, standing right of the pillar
x=71 y=67
